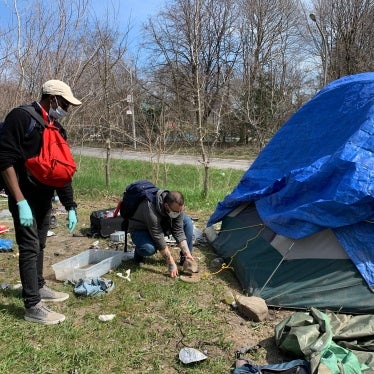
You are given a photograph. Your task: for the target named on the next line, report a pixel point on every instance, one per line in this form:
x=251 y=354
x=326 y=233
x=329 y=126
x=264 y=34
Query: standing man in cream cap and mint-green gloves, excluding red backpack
x=29 y=201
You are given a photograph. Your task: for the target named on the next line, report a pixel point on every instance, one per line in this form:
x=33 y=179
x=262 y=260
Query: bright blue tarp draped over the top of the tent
x=317 y=172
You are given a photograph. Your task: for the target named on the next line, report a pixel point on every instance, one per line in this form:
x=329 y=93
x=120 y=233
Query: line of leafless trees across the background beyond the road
x=212 y=72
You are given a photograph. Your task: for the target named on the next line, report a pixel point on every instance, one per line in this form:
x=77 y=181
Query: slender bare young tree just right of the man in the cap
x=105 y=70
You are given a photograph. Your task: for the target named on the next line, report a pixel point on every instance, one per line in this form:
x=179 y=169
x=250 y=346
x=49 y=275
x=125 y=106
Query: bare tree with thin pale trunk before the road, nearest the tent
x=195 y=49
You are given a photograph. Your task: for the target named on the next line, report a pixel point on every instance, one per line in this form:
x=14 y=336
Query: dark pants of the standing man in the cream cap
x=31 y=242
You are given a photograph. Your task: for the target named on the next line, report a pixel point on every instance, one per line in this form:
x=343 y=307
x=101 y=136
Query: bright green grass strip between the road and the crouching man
x=89 y=181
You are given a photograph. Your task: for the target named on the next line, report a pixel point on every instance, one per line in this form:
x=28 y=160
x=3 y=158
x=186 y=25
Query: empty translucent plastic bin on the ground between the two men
x=88 y=264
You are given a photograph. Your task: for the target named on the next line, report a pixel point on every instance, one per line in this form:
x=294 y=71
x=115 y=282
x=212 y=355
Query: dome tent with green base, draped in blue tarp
x=299 y=225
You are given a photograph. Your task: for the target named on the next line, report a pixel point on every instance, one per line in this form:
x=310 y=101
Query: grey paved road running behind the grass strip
x=172 y=159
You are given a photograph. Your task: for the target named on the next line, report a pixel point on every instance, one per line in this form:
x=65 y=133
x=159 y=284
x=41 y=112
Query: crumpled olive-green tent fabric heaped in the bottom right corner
x=332 y=343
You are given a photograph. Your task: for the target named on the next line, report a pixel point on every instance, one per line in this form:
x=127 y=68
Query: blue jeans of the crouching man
x=143 y=241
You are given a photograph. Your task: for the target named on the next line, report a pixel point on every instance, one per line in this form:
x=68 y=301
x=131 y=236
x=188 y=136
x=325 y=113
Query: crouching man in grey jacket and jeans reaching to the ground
x=151 y=222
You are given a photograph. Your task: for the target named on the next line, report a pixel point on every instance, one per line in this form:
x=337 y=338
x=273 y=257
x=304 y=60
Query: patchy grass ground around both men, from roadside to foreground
x=156 y=316
